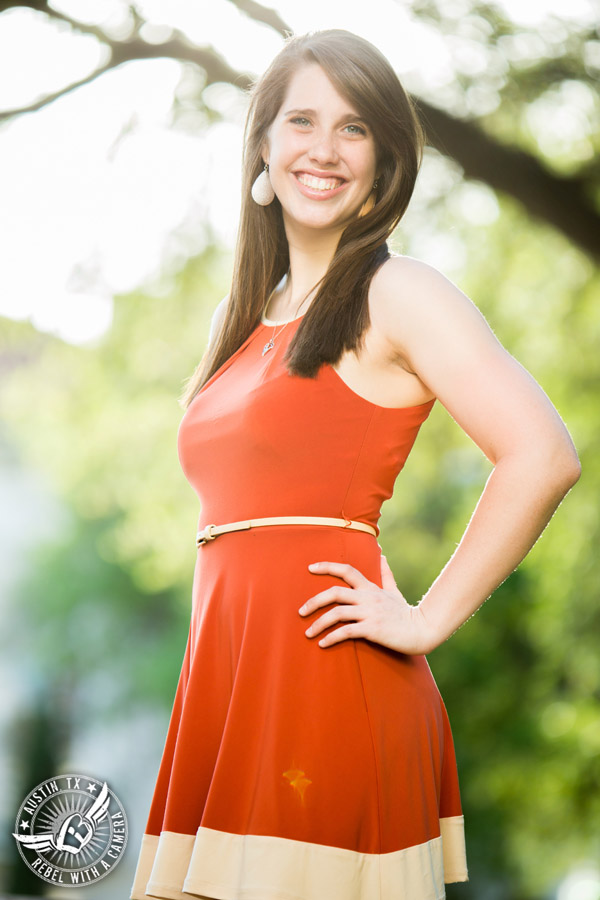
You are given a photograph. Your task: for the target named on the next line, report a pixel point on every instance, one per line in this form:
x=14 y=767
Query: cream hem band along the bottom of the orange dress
x=214 y=864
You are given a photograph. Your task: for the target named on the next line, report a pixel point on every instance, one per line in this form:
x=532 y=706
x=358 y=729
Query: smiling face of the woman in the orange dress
x=321 y=155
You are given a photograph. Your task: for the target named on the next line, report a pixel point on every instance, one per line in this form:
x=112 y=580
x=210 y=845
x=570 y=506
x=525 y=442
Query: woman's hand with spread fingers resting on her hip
x=379 y=614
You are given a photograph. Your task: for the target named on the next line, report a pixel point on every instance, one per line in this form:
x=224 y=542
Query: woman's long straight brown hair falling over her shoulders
x=338 y=315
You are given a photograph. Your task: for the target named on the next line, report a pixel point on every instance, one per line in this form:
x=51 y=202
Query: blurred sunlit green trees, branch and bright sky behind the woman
x=120 y=148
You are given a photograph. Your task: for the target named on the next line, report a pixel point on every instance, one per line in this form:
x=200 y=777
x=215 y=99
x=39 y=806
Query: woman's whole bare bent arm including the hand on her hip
x=442 y=338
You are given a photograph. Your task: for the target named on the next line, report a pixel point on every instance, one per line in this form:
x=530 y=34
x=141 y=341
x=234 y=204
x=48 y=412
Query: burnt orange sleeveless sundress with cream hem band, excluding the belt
x=292 y=771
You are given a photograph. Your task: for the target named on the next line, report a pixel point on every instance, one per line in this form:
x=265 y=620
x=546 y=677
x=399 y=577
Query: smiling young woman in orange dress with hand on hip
x=309 y=755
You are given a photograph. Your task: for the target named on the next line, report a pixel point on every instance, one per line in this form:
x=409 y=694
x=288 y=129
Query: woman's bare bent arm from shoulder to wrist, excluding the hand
x=446 y=342
